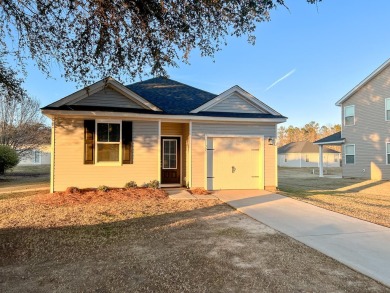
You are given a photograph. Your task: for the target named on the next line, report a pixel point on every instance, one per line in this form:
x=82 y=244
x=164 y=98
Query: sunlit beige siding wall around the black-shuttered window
x=69 y=167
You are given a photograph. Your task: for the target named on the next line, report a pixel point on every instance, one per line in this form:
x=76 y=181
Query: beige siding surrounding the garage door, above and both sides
x=199 y=132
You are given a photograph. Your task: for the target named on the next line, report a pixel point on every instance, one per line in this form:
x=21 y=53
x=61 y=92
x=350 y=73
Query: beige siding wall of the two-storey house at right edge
x=371 y=130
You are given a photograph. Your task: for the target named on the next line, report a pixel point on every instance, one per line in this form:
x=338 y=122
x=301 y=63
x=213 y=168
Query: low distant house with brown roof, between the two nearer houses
x=306 y=154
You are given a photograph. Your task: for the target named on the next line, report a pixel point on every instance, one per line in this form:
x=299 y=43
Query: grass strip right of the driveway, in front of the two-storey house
x=363 y=199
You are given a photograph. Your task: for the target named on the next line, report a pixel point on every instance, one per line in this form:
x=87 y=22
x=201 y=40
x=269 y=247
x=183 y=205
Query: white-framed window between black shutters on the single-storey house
x=108 y=142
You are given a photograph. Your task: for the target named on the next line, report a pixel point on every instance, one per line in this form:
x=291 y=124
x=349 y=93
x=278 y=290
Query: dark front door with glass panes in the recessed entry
x=170 y=160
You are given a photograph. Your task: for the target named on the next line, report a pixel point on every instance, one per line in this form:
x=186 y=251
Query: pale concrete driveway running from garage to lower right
x=361 y=245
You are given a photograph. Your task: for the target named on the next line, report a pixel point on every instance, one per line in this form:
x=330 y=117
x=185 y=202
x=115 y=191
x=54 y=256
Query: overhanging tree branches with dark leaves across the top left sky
x=95 y=38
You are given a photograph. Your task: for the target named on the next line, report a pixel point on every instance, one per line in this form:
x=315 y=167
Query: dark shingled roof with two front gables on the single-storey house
x=165 y=97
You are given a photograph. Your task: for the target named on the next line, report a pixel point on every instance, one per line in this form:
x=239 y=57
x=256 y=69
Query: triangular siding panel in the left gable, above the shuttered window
x=108 y=98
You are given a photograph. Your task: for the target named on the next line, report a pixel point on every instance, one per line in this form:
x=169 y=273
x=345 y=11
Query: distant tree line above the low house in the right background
x=310 y=132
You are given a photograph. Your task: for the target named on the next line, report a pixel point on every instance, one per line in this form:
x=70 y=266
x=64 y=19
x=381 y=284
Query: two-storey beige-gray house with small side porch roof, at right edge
x=365 y=135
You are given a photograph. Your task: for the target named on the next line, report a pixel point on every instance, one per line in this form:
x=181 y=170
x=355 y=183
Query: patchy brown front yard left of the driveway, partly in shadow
x=154 y=244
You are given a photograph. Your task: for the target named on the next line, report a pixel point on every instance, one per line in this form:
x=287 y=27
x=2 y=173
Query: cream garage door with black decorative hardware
x=233 y=163
